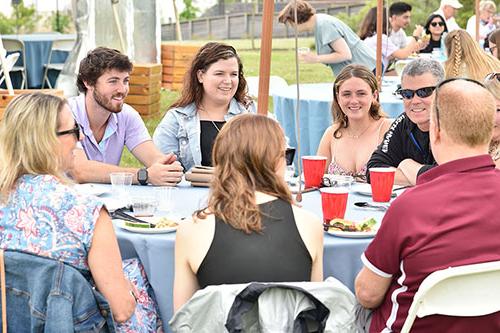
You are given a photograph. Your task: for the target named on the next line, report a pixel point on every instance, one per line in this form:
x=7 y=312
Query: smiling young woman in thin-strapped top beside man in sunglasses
x=359 y=123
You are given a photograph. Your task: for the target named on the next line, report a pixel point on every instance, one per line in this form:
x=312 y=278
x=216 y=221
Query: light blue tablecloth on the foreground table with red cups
x=156 y=251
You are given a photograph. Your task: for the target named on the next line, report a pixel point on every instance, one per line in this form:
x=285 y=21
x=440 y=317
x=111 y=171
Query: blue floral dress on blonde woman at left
x=45 y=217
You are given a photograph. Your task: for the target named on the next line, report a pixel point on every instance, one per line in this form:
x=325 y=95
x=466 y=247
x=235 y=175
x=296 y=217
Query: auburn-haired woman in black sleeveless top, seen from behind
x=250 y=214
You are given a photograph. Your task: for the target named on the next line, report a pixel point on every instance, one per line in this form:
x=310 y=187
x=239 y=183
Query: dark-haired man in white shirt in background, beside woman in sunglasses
x=399 y=19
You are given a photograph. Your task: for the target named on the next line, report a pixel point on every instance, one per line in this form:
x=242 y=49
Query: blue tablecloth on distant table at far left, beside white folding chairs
x=37 y=49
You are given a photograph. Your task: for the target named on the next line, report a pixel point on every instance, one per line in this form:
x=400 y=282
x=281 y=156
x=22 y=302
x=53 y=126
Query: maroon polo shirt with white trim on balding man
x=450 y=218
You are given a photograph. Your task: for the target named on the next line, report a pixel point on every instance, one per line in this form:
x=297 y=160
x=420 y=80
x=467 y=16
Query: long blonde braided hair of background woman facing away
x=466 y=58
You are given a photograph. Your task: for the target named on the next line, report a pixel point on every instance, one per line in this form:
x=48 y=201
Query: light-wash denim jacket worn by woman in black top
x=179 y=132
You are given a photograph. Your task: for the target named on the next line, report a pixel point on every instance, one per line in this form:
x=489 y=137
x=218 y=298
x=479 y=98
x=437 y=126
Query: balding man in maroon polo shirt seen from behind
x=450 y=218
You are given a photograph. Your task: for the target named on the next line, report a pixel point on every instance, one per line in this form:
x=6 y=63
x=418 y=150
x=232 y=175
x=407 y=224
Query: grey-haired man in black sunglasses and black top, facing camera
x=406 y=143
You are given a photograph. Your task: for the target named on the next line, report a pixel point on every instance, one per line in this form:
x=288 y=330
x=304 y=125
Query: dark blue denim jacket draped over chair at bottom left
x=45 y=295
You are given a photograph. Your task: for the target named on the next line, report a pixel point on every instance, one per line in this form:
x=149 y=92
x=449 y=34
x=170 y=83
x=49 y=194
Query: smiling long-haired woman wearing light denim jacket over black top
x=214 y=91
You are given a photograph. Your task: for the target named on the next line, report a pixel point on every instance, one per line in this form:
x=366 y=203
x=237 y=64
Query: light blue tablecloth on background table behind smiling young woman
x=315 y=115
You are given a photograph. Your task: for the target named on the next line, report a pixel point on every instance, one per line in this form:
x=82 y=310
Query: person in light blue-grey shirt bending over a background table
x=336 y=44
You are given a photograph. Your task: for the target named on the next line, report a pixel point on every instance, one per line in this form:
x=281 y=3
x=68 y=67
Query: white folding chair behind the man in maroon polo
x=463 y=291
